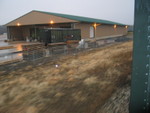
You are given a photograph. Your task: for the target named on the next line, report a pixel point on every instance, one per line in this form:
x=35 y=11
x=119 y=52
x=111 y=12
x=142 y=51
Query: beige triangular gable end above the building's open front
x=34 y=17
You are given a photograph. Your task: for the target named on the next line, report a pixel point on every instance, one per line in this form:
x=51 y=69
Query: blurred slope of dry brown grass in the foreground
x=82 y=83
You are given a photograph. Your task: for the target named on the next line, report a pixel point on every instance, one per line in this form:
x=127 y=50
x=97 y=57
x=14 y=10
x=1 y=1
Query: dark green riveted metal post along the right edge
x=140 y=85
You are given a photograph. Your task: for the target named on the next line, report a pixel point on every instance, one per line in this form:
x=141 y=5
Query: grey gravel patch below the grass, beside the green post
x=118 y=102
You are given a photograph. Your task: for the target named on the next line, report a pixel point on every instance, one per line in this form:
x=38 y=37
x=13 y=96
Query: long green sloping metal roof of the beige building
x=80 y=18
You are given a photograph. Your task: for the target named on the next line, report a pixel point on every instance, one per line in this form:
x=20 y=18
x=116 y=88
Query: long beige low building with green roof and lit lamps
x=28 y=25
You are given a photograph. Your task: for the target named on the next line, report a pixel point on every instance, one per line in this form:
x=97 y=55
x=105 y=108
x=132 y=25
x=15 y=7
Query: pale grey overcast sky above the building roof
x=121 y=11
